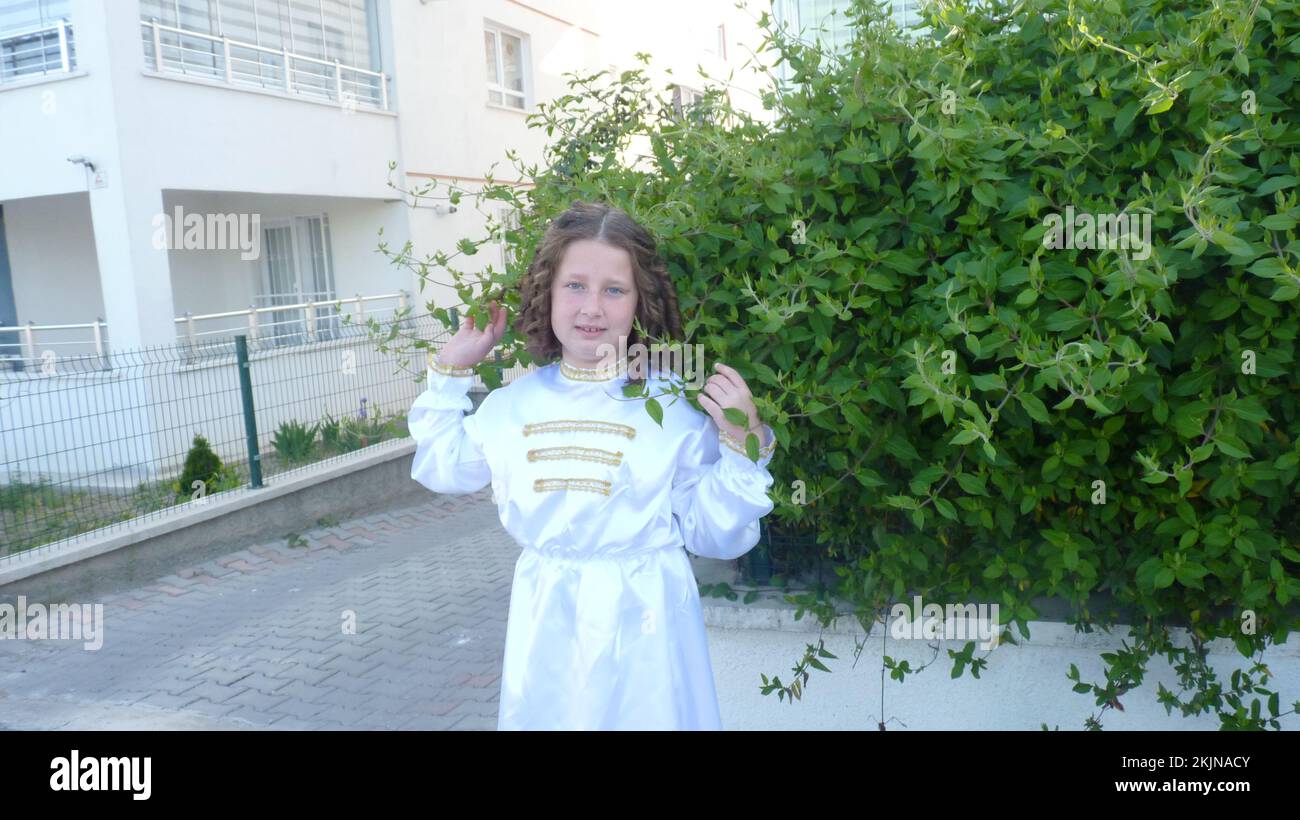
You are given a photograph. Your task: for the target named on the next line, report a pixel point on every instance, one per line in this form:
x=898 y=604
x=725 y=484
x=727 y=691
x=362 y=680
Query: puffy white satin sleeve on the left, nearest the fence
x=449 y=455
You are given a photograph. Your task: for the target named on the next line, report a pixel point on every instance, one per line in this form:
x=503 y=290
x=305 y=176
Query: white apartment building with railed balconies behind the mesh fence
x=124 y=122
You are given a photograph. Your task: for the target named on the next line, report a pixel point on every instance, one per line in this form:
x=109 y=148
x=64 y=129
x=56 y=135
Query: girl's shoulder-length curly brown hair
x=657 y=297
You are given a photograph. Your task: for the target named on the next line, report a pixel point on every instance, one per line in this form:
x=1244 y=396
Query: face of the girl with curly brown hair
x=593 y=302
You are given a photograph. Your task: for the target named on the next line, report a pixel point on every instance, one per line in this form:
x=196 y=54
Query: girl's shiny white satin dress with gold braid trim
x=605 y=628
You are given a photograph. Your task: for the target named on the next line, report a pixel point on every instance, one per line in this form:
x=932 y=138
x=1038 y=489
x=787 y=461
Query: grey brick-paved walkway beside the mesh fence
x=255 y=640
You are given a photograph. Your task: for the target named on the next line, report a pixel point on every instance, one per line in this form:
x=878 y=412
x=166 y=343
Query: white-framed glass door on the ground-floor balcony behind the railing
x=298 y=267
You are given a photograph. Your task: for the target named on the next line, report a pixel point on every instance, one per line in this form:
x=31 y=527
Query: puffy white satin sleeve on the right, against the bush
x=720 y=496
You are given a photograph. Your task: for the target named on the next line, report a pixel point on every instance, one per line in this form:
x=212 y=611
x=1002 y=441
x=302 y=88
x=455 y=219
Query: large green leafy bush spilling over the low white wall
x=986 y=410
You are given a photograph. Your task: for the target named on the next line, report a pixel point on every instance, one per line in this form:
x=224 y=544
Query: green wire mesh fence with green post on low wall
x=99 y=444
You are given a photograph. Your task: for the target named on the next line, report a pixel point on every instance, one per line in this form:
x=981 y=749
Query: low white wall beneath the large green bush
x=1022 y=688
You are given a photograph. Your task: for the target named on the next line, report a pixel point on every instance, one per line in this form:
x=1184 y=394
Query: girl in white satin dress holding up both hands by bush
x=605 y=628
